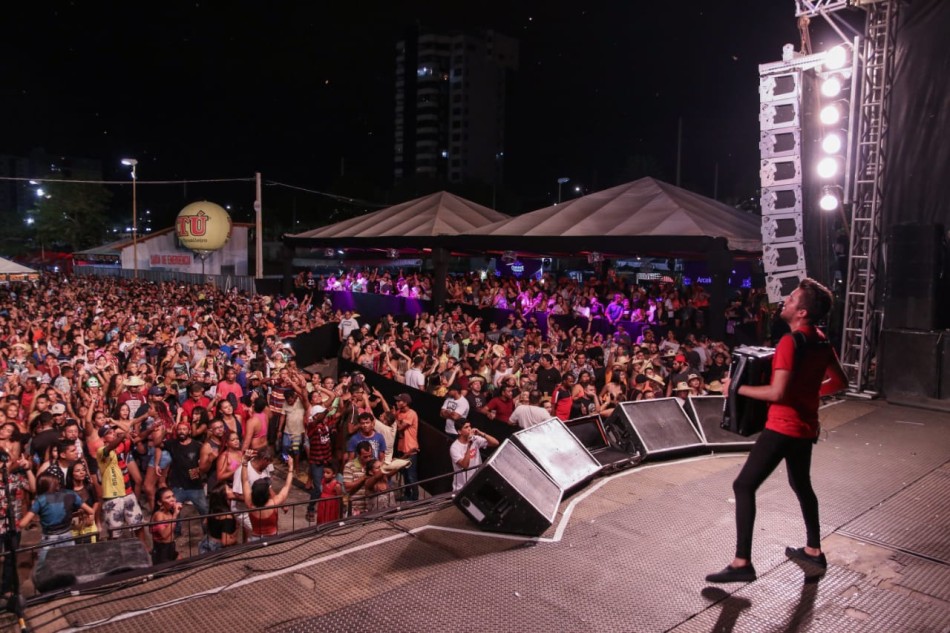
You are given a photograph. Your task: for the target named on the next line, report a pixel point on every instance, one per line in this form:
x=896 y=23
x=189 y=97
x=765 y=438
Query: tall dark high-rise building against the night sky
x=451 y=96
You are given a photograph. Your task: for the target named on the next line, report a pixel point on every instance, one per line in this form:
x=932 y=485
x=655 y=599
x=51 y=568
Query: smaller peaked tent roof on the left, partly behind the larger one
x=413 y=223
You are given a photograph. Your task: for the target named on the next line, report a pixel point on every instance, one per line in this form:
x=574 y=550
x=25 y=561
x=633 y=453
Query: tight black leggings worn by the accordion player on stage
x=769 y=451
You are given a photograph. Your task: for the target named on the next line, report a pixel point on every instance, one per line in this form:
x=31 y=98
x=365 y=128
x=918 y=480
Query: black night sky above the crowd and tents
x=297 y=89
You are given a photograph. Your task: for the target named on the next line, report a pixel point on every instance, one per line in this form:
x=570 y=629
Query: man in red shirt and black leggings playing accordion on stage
x=804 y=368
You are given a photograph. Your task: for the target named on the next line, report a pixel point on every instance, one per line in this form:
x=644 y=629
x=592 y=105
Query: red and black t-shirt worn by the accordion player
x=797 y=414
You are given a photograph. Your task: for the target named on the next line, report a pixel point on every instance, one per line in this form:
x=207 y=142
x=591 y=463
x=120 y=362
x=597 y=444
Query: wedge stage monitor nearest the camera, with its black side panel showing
x=510 y=494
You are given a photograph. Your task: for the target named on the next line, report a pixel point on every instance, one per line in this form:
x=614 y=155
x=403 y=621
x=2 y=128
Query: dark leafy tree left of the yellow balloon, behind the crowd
x=72 y=214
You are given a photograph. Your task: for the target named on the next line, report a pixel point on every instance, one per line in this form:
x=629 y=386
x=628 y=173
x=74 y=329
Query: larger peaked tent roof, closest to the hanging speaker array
x=645 y=214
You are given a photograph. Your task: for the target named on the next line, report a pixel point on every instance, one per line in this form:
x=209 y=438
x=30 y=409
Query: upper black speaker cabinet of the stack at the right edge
x=915 y=297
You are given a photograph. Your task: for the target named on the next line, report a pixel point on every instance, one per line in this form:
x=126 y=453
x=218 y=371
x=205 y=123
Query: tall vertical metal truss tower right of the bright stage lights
x=862 y=315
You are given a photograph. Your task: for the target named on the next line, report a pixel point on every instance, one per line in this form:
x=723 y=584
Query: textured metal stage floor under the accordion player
x=627 y=553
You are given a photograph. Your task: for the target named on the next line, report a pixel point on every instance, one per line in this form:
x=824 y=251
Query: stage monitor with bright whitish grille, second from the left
x=558 y=451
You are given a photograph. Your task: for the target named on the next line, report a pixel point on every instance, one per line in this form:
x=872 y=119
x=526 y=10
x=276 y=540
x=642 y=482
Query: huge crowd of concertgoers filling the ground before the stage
x=122 y=399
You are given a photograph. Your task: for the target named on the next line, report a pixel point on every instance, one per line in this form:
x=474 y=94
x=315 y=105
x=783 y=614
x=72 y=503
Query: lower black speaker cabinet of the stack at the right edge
x=911 y=365
